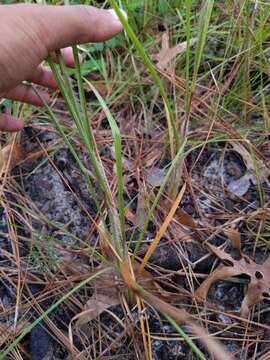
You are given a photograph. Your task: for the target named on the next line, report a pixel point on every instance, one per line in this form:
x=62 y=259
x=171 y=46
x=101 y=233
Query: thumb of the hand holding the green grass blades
x=62 y=26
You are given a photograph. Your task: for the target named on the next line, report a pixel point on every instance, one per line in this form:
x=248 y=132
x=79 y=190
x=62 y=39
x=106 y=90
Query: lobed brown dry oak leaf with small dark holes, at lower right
x=259 y=274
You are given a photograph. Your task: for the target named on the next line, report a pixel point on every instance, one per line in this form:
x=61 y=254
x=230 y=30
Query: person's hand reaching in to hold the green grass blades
x=30 y=32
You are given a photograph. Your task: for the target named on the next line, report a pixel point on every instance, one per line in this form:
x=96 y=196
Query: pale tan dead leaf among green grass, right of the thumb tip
x=167 y=54
